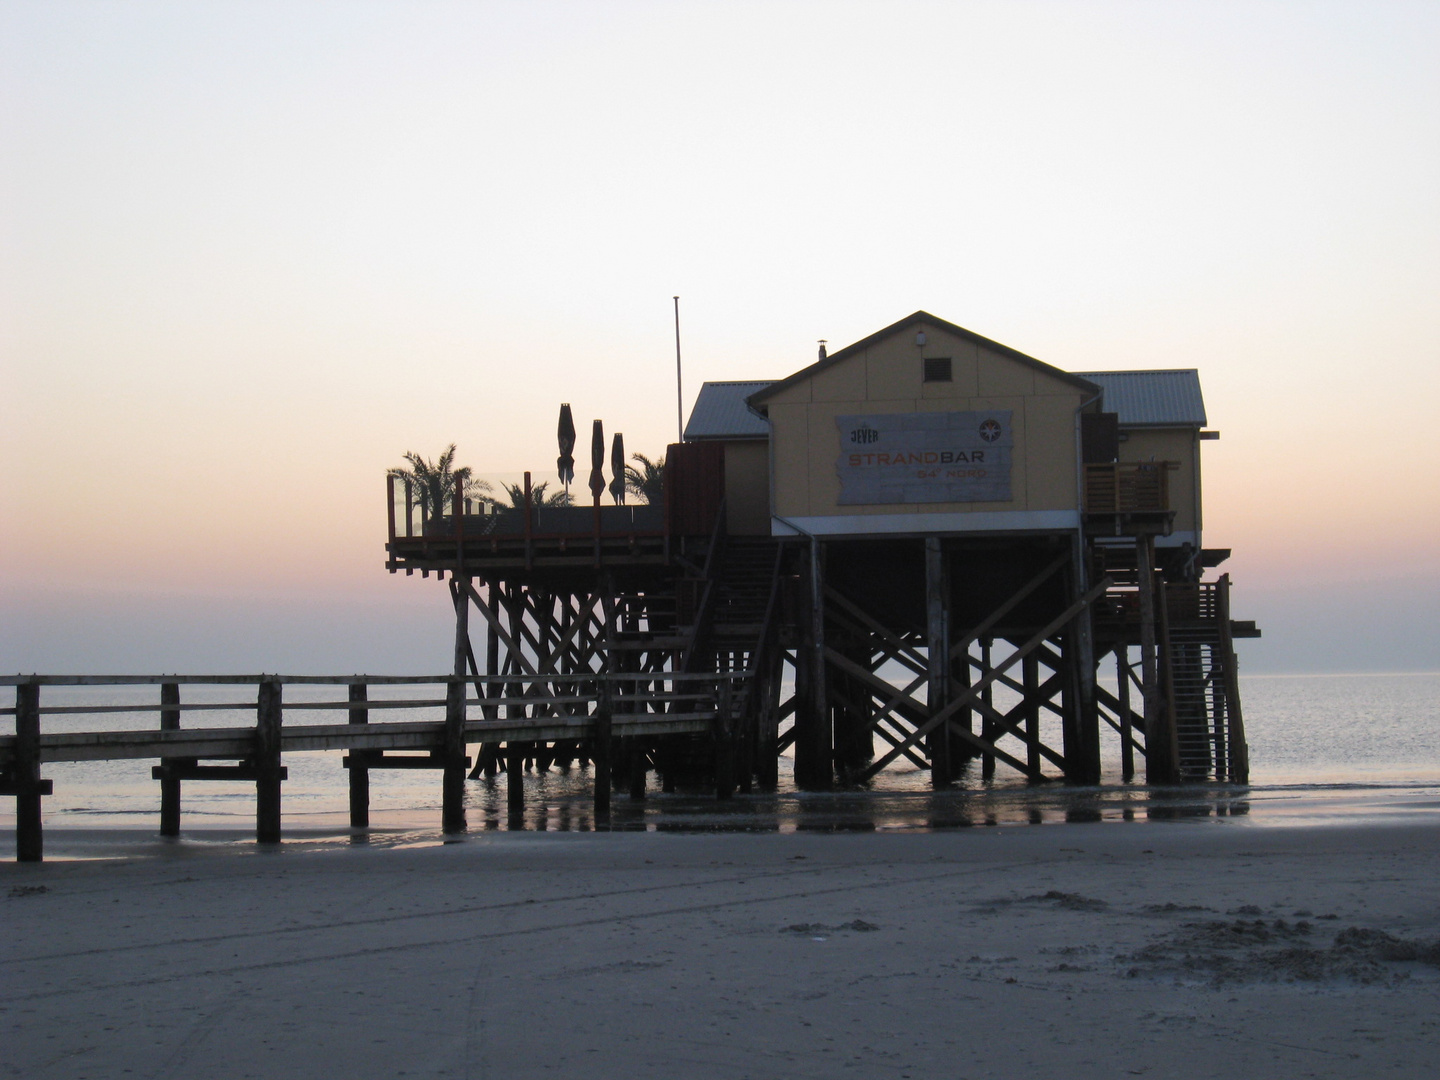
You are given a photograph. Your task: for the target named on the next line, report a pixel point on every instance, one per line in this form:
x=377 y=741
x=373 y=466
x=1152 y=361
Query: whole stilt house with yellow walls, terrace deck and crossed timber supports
x=924 y=551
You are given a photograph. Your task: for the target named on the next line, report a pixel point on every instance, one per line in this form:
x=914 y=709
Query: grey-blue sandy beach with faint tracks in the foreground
x=1081 y=951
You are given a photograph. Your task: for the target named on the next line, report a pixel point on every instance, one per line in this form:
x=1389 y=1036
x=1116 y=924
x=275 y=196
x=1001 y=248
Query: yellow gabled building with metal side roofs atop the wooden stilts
x=928 y=428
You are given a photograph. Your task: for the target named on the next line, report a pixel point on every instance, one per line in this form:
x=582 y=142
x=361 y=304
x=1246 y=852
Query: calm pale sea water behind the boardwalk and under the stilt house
x=1323 y=748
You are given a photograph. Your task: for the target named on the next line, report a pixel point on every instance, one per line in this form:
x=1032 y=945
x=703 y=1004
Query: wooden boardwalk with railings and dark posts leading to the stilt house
x=587 y=709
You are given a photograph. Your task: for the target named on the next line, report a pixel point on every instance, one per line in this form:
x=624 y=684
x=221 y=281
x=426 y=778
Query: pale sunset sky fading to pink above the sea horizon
x=253 y=253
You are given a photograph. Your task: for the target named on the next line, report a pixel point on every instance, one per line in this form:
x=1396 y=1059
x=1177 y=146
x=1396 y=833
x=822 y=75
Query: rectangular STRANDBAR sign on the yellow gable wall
x=925 y=457
